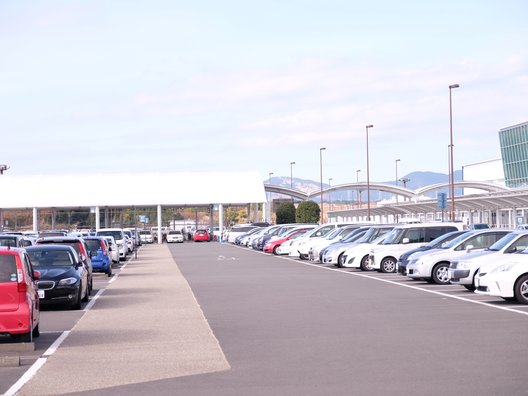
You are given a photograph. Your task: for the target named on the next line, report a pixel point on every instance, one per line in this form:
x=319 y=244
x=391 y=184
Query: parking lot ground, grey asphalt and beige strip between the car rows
x=277 y=326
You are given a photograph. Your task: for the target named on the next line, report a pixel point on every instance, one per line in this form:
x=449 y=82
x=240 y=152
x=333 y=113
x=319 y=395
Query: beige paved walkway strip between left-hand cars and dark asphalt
x=146 y=326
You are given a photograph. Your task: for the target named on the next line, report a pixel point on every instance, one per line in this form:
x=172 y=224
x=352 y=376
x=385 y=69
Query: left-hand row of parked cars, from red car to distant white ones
x=54 y=270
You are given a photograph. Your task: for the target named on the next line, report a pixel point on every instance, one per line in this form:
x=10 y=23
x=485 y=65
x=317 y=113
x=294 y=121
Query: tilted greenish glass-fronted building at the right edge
x=514 y=150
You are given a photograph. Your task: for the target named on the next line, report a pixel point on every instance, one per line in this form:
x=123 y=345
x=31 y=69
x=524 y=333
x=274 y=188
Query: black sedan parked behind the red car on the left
x=63 y=277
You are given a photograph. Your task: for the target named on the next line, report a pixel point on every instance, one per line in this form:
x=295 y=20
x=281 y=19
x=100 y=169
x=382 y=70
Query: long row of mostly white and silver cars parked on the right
x=484 y=260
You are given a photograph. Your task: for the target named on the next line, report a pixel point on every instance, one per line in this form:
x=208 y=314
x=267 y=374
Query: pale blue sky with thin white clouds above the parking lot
x=180 y=86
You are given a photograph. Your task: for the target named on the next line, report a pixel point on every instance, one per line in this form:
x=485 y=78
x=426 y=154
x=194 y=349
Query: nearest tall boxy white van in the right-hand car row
x=384 y=257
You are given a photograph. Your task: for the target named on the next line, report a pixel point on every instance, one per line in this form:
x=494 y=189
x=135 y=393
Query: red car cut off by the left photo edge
x=19 y=298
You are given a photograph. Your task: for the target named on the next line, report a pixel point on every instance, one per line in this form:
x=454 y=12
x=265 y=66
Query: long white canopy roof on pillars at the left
x=132 y=189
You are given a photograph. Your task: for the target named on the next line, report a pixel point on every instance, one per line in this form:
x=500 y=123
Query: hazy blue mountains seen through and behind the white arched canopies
x=414 y=181
